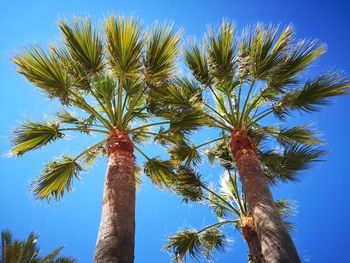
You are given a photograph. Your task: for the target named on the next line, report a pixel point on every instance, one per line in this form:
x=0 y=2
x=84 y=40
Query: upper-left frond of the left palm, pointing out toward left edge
x=45 y=71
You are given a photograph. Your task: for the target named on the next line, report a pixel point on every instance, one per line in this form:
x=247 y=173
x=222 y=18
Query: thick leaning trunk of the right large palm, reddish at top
x=276 y=243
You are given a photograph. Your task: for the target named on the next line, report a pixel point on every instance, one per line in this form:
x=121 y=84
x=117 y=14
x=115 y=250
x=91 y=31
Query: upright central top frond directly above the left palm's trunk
x=125 y=42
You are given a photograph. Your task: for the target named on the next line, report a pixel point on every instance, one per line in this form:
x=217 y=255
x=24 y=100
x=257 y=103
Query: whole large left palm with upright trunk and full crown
x=108 y=82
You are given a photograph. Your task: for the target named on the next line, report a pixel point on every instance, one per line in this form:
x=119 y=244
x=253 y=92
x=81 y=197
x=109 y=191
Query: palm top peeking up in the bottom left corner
x=27 y=251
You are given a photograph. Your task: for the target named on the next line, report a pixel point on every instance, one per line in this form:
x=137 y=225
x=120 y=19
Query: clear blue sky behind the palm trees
x=322 y=195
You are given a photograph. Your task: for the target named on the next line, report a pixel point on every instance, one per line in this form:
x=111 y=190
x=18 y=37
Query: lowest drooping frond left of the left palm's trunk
x=56 y=178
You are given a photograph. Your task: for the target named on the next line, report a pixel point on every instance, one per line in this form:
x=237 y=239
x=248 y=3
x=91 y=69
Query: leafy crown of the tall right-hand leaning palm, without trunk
x=238 y=82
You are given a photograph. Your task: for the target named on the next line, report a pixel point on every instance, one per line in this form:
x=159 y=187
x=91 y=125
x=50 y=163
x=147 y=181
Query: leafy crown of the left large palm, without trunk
x=109 y=80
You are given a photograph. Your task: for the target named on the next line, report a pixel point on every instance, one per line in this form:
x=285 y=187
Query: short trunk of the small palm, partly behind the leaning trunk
x=251 y=237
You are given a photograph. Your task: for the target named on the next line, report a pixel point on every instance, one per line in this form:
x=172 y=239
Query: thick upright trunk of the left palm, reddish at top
x=115 y=241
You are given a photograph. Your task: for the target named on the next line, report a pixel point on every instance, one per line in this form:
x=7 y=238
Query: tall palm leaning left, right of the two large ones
x=250 y=80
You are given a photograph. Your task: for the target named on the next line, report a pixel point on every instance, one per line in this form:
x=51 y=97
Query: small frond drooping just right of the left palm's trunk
x=161 y=172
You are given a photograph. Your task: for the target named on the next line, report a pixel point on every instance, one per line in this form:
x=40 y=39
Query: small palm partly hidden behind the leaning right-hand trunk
x=230 y=207
